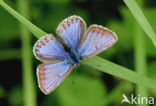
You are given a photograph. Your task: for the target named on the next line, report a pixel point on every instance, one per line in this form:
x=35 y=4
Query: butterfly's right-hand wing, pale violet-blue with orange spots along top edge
x=97 y=40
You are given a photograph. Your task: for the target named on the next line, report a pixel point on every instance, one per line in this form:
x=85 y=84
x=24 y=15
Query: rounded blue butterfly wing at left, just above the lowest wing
x=48 y=49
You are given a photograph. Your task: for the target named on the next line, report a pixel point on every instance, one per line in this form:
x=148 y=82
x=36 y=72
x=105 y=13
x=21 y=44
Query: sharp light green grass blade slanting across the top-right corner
x=138 y=14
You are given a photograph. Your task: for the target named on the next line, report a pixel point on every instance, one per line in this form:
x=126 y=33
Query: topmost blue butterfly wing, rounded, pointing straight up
x=72 y=31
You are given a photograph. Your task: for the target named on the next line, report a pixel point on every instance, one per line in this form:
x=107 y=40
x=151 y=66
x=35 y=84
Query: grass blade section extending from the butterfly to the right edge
x=119 y=71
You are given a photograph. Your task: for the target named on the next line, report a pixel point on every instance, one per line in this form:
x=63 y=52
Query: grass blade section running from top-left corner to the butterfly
x=35 y=30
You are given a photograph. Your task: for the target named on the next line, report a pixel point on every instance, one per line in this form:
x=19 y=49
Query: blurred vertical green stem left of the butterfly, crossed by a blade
x=29 y=91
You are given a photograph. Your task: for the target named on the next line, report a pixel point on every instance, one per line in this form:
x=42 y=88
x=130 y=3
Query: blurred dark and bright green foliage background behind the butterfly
x=92 y=87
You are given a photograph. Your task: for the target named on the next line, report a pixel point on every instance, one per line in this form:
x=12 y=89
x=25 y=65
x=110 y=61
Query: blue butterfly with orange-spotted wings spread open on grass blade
x=74 y=43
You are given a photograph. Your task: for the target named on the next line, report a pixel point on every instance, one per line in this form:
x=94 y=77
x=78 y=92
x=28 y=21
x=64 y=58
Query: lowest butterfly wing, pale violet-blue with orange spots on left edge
x=51 y=75
